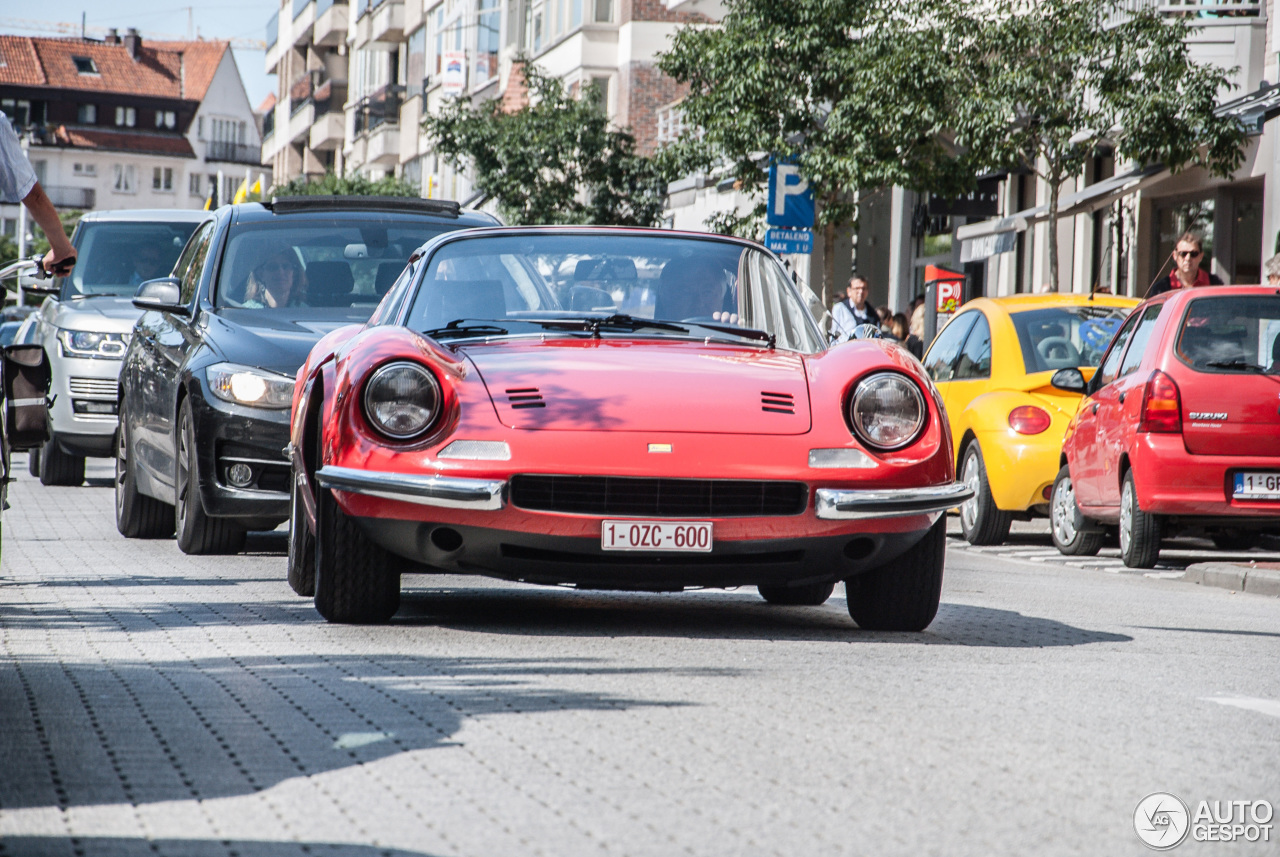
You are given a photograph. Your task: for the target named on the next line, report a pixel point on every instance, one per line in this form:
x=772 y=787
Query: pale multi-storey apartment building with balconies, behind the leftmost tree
x=401 y=59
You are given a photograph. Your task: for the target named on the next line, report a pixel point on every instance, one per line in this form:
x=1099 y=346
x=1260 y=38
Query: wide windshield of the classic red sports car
x=693 y=285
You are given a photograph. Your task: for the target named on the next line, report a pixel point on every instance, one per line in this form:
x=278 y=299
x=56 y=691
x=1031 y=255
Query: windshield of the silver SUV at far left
x=117 y=258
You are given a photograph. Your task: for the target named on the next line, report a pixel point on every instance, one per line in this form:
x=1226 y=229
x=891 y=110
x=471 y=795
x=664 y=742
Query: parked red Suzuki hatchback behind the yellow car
x=1180 y=432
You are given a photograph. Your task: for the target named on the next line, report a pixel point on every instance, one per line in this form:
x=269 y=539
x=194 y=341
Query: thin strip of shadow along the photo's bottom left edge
x=140 y=847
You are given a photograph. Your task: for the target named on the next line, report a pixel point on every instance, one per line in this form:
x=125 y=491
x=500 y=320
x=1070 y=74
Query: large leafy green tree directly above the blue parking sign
x=856 y=91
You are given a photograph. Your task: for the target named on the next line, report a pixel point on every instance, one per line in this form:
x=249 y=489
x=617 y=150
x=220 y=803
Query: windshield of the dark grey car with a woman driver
x=341 y=265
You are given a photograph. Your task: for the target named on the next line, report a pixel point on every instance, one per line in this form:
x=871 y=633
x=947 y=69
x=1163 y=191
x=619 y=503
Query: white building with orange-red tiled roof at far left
x=124 y=123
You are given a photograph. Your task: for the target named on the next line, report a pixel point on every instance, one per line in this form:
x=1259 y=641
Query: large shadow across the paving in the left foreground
x=130 y=732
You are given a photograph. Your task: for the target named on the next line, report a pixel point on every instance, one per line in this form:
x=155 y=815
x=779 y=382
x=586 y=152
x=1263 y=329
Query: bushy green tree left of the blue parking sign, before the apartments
x=556 y=161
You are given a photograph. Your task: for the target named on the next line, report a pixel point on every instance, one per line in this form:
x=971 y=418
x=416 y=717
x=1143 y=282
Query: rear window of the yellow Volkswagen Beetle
x=1067 y=337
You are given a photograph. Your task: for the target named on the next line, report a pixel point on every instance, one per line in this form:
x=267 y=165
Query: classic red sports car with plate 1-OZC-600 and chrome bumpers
x=615 y=409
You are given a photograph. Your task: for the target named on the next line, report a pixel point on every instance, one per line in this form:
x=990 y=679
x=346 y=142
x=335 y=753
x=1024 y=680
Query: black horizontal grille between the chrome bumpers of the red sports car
x=661 y=498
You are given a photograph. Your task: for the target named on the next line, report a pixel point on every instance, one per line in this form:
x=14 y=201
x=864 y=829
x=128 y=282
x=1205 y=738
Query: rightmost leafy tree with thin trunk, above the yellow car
x=1049 y=83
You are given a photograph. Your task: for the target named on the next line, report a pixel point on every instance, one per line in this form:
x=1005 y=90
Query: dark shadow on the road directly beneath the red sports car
x=543 y=612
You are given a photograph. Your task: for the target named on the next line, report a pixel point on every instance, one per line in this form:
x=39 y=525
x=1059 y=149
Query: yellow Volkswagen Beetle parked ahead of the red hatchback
x=993 y=364
